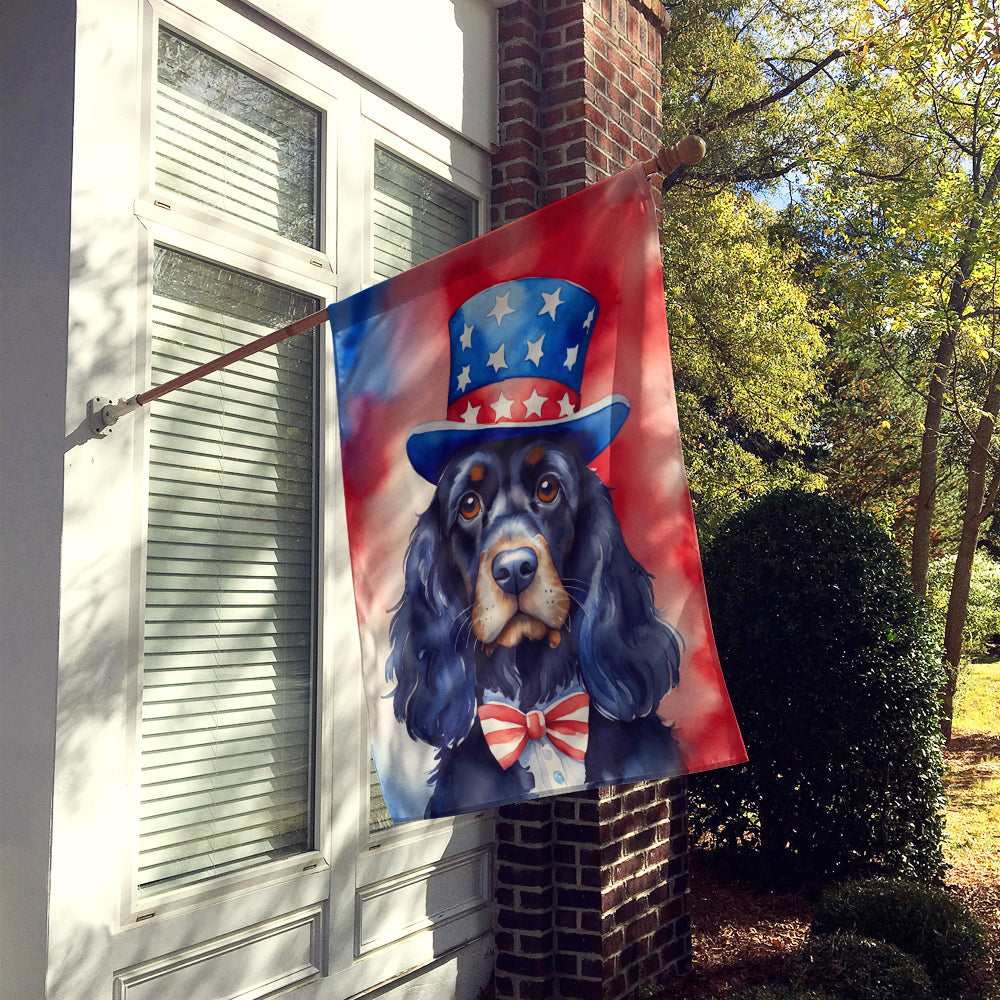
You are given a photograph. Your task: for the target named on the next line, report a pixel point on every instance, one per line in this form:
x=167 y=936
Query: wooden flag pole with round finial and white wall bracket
x=103 y=413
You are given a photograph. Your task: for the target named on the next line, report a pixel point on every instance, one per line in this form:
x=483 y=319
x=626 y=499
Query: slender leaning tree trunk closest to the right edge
x=980 y=499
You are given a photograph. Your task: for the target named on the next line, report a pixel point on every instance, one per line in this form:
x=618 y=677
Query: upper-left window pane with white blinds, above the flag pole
x=228 y=140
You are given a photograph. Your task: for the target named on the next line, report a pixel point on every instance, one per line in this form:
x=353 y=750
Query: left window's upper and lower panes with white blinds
x=229 y=647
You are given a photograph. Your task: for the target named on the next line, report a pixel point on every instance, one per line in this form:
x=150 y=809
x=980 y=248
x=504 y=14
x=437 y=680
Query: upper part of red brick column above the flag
x=579 y=96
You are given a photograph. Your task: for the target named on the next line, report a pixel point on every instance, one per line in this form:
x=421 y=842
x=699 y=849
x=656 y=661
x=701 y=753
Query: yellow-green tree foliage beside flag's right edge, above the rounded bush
x=747 y=357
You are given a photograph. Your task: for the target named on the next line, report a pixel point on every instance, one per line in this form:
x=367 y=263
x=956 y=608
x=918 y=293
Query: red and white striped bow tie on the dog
x=564 y=722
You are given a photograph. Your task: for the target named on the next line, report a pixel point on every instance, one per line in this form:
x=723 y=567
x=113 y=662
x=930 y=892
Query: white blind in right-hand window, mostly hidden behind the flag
x=416 y=216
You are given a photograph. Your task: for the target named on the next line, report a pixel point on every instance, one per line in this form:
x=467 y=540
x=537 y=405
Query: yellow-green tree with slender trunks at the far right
x=912 y=190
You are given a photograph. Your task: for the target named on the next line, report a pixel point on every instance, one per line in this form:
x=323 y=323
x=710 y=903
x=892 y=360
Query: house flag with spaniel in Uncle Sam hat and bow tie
x=526 y=571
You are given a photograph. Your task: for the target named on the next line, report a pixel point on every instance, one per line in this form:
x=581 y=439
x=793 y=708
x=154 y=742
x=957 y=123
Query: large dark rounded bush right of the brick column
x=833 y=673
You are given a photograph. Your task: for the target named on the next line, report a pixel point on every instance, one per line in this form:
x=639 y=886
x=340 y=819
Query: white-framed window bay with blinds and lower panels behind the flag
x=251 y=805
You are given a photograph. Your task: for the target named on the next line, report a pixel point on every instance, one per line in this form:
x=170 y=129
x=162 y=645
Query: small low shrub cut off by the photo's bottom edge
x=856 y=968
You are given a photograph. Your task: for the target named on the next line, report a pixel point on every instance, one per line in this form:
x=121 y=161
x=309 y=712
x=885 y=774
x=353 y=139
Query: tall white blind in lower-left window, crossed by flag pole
x=228 y=655
